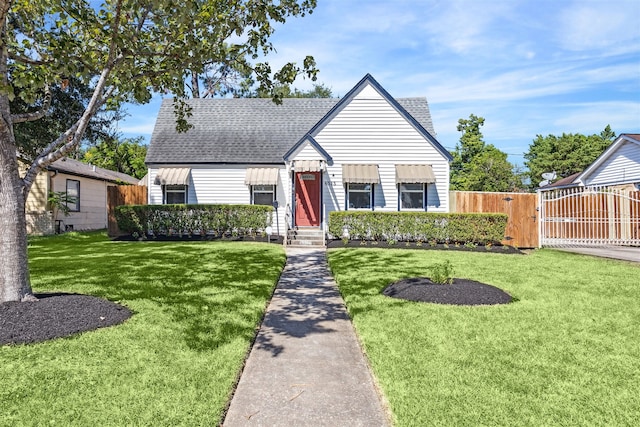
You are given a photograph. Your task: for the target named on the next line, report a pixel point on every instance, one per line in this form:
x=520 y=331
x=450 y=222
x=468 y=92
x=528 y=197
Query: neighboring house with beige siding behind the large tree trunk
x=86 y=183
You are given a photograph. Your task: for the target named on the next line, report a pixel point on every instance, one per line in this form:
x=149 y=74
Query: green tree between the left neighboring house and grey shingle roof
x=121 y=155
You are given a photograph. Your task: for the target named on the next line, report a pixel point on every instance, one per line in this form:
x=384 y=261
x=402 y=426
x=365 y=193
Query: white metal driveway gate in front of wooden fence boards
x=589 y=216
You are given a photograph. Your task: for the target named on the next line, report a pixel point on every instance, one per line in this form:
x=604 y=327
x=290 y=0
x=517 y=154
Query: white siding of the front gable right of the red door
x=370 y=130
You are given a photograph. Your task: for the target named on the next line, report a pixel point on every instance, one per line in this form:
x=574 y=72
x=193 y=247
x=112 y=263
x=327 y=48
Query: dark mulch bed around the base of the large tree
x=55 y=316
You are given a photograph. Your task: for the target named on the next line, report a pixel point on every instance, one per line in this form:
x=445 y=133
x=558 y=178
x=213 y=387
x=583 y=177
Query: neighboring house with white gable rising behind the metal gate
x=618 y=166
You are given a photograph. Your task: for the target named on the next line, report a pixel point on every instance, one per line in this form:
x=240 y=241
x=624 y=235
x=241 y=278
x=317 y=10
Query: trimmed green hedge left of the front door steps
x=215 y=220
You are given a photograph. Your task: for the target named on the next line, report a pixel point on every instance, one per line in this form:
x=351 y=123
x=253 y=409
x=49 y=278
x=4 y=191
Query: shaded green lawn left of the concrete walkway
x=175 y=362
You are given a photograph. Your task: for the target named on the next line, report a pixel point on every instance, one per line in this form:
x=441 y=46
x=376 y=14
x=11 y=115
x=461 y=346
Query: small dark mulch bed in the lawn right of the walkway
x=460 y=292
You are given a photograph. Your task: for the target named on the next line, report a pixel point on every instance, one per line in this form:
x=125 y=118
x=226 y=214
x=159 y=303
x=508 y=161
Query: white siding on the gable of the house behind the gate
x=622 y=166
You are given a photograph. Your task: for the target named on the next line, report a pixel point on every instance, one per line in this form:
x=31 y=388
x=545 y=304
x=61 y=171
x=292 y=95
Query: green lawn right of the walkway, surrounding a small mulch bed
x=567 y=352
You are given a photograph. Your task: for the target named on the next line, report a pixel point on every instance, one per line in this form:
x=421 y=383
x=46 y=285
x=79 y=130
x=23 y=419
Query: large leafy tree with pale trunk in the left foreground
x=125 y=50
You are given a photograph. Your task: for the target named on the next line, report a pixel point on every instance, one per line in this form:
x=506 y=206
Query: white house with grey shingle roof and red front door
x=307 y=157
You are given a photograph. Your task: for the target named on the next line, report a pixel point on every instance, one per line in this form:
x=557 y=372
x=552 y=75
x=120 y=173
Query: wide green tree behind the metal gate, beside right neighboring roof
x=566 y=155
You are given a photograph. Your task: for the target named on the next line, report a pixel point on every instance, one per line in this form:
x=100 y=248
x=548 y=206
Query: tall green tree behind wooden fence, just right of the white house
x=478 y=166
